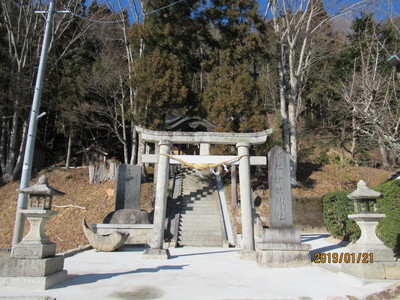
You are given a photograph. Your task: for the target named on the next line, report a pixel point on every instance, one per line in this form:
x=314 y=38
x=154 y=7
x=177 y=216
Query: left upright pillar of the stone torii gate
x=156 y=250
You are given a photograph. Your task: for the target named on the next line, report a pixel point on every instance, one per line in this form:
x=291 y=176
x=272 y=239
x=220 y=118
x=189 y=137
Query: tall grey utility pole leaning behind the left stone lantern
x=30 y=143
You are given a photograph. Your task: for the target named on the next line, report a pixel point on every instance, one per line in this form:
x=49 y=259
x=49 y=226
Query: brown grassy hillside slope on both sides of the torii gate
x=97 y=201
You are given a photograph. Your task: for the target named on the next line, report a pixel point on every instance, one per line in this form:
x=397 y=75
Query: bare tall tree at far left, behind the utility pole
x=24 y=33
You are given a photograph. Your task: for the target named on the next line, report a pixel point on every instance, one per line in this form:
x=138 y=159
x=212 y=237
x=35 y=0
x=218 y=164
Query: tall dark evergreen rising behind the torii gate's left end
x=175 y=31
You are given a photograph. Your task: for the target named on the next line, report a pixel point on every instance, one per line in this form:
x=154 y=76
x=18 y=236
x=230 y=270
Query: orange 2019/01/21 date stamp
x=362 y=257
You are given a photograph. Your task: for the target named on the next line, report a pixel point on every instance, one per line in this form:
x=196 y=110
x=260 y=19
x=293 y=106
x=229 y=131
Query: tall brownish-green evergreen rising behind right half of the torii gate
x=232 y=97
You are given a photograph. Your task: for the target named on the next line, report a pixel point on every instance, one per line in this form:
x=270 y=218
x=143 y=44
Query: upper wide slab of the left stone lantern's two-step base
x=16 y=267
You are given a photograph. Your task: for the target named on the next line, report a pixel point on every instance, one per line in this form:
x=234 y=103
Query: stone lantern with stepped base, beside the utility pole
x=33 y=263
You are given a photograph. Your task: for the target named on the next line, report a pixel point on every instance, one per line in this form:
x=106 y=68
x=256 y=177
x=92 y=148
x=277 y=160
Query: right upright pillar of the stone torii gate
x=248 y=250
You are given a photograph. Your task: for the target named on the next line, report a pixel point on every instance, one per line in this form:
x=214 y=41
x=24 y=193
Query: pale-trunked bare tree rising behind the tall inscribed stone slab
x=298 y=25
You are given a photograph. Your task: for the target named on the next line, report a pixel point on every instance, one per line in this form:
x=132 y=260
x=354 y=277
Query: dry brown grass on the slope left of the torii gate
x=65 y=229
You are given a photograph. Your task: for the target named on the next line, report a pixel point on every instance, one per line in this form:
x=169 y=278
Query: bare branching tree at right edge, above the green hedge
x=372 y=92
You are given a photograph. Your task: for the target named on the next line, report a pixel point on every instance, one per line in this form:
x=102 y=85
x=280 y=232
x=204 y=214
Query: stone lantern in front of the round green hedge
x=369 y=258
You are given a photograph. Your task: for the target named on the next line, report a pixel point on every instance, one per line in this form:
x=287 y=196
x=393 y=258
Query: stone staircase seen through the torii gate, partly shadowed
x=200 y=219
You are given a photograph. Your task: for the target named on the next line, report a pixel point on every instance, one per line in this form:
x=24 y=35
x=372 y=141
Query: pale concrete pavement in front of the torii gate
x=200 y=273
